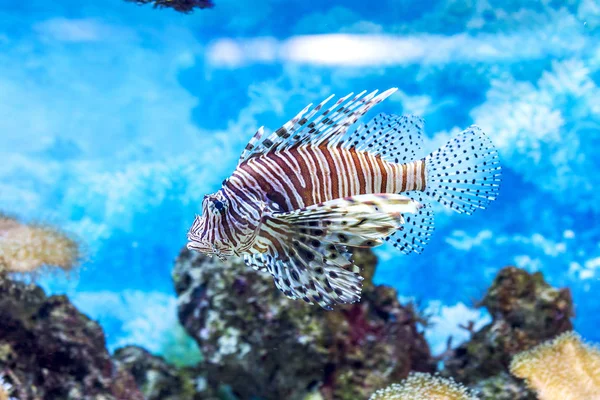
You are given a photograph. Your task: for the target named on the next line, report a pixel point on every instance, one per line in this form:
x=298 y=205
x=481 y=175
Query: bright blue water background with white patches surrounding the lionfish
x=116 y=119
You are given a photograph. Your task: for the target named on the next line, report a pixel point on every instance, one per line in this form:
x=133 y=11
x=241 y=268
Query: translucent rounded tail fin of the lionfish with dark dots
x=465 y=174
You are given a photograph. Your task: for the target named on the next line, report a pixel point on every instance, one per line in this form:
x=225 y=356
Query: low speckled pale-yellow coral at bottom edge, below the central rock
x=421 y=386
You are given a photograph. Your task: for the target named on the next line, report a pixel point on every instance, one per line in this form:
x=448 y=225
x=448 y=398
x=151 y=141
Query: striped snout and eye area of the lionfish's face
x=207 y=234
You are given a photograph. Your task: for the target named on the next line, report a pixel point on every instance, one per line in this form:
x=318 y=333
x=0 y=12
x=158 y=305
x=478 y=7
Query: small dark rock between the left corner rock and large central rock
x=159 y=380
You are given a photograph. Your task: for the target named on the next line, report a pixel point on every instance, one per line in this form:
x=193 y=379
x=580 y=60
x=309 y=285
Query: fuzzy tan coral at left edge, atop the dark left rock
x=26 y=248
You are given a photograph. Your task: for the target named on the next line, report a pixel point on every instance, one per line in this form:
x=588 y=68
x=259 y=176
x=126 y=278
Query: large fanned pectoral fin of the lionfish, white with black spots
x=305 y=250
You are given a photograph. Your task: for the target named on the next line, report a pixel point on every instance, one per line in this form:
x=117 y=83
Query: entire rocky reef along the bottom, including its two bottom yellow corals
x=257 y=344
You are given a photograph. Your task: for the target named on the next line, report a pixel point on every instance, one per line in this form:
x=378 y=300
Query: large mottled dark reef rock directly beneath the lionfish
x=266 y=346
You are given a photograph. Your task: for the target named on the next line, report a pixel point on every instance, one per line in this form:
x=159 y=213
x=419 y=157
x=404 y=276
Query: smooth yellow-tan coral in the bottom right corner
x=561 y=369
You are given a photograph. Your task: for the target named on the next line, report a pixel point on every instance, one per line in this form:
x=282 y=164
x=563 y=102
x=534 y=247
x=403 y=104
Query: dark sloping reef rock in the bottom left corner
x=49 y=350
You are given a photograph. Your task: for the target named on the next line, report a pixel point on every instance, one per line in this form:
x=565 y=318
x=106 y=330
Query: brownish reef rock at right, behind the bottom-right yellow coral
x=526 y=311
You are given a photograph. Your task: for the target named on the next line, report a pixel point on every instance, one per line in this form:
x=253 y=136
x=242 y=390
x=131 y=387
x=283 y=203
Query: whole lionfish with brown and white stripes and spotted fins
x=304 y=194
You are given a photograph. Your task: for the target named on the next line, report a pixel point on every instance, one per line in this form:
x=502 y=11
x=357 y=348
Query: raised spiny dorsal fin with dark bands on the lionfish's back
x=310 y=126
